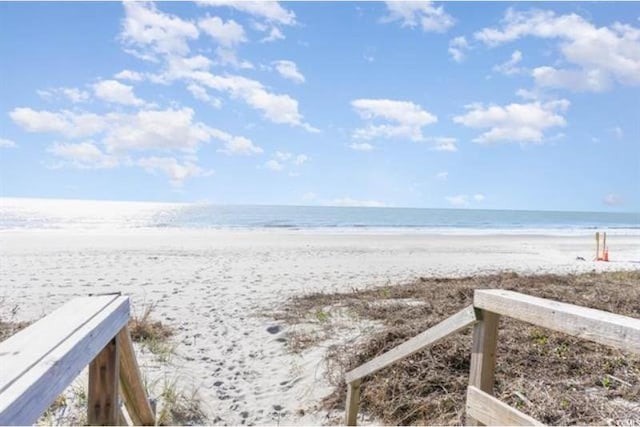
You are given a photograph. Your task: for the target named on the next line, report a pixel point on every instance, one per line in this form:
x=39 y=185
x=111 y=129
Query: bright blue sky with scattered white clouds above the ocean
x=450 y=104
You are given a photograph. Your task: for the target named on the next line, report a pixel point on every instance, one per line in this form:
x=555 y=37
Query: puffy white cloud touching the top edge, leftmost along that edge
x=148 y=31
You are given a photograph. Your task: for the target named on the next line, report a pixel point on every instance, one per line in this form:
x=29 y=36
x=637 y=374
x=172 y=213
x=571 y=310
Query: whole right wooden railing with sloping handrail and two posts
x=482 y=408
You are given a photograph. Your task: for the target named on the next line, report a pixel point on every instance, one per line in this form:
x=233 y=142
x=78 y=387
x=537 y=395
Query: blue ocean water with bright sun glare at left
x=81 y=214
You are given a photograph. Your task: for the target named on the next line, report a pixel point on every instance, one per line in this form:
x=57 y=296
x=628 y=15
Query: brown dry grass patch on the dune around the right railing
x=553 y=377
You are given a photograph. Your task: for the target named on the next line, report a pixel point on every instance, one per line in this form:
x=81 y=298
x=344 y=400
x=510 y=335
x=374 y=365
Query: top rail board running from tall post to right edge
x=606 y=328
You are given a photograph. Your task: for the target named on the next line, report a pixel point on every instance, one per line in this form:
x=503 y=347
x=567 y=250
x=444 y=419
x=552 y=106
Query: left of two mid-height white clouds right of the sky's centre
x=405 y=119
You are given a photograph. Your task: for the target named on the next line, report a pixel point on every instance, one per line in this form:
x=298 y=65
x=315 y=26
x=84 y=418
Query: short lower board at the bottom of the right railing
x=491 y=411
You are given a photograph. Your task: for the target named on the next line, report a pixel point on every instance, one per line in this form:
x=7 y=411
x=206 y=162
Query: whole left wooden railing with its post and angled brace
x=39 y=362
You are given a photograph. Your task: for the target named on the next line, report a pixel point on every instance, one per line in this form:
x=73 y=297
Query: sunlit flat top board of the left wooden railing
x=26 y=348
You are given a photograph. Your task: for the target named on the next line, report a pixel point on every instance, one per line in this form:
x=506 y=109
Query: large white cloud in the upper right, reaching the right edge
x=598 y=55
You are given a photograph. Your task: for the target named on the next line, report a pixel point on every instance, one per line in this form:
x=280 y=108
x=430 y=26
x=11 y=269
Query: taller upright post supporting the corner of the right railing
x=483 y=355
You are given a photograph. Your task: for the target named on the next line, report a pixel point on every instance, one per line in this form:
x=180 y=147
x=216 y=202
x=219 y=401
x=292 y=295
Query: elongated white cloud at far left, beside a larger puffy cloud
x=65 y=122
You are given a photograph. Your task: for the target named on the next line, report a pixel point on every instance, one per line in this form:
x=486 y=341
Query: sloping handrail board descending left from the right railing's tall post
x=443 y=329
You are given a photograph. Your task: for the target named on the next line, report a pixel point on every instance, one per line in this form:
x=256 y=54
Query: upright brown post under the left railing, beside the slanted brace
x=103 y=386
